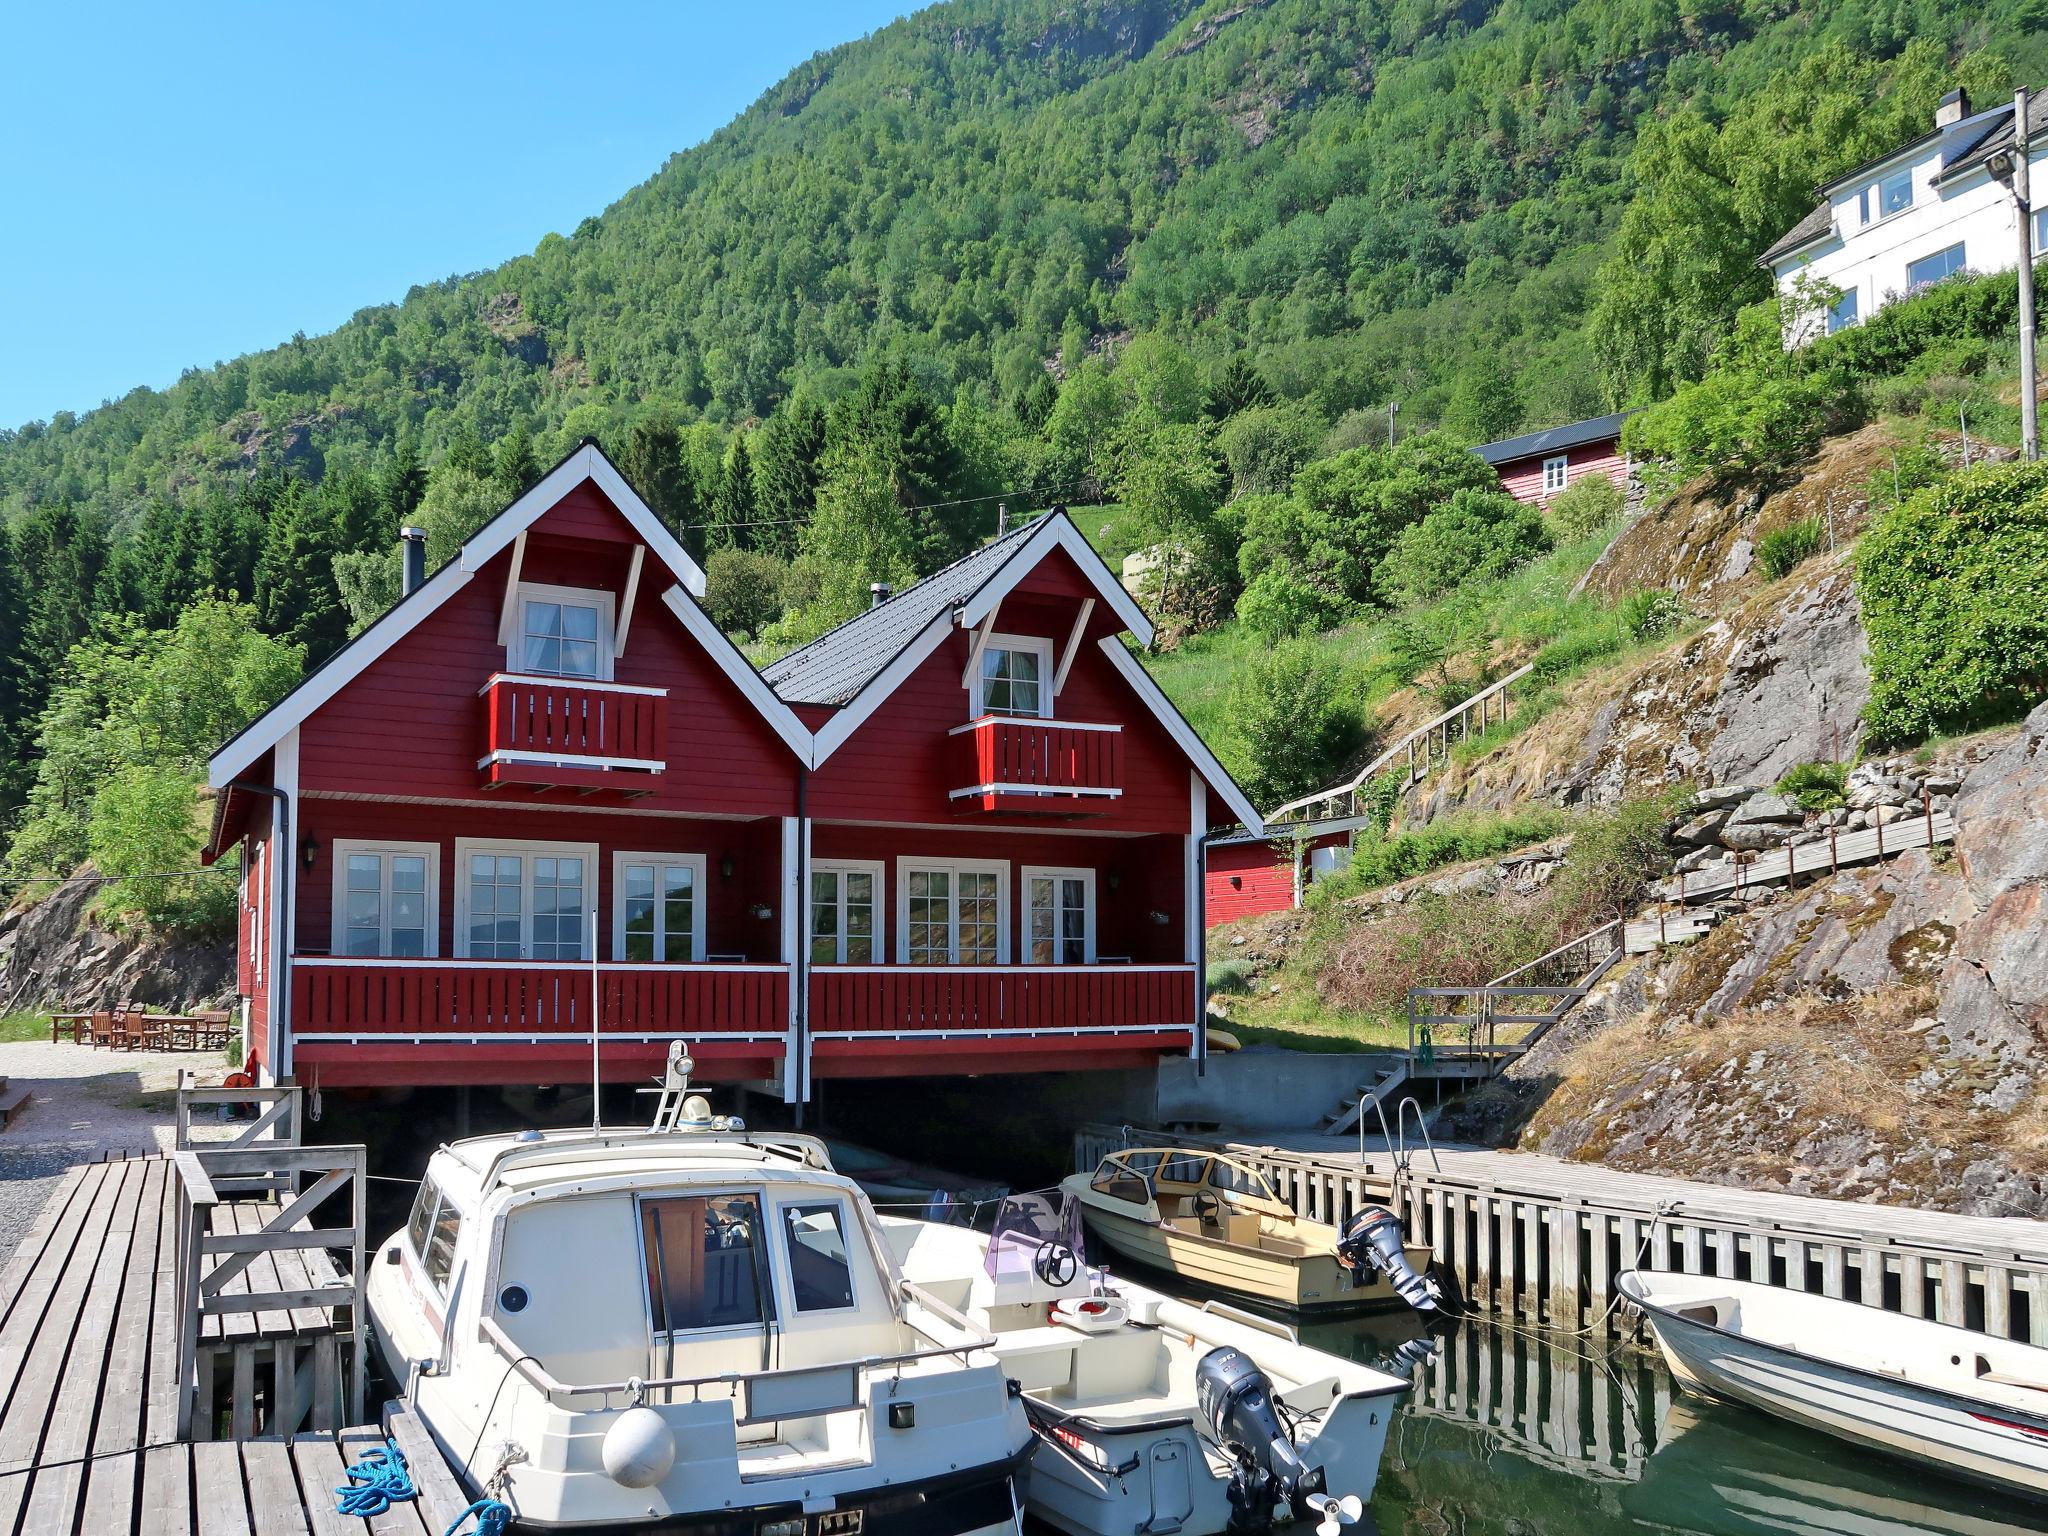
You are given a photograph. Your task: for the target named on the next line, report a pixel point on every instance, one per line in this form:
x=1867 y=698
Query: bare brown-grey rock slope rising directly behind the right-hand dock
x=1881 y=1035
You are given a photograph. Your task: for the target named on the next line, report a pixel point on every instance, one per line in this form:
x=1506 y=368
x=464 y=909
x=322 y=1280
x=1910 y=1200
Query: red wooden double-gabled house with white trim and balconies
x=959 y=835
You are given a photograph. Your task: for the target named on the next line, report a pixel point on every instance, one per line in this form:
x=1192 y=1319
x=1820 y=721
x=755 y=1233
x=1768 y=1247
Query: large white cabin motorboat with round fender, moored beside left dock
x=689 y=1328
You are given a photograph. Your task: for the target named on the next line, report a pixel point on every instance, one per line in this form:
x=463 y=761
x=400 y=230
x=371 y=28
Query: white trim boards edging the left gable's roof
x=583 y=464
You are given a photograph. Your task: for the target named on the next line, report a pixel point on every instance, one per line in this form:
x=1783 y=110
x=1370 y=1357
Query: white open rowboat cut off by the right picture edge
x=1957 y=1402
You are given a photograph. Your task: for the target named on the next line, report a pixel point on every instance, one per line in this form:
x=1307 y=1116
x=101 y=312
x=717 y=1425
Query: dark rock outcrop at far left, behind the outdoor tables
x=56 y=955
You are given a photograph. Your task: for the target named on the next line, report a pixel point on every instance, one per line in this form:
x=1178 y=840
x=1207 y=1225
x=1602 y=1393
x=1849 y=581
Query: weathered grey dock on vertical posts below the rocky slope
x=1543 y=1240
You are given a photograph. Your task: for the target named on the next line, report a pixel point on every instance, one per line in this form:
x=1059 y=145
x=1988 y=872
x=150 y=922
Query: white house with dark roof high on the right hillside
x=1916 y=216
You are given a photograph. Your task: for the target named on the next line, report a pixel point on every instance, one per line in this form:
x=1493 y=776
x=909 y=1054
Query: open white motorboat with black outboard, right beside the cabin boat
x=1154 y=1416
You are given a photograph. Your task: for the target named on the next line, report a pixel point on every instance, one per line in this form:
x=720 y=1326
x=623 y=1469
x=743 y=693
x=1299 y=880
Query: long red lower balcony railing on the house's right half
x=1011 y=998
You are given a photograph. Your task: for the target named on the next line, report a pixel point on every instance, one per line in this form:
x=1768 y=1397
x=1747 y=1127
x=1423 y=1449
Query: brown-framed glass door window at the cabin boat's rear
x=706 y=1263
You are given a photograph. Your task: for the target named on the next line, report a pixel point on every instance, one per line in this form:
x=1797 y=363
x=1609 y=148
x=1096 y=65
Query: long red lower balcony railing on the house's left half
x=519 y=1000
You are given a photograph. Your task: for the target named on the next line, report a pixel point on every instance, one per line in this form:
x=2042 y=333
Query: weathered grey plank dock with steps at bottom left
x=91 y=1383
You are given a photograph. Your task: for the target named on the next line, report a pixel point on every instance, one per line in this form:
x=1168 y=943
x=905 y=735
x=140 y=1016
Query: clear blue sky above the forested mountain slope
x=187 y=183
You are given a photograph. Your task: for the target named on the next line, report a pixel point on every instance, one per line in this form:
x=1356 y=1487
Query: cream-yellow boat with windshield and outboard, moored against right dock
x=1215 y=1222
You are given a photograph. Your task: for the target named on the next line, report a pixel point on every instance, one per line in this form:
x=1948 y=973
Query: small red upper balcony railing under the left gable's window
x=552 y=732
